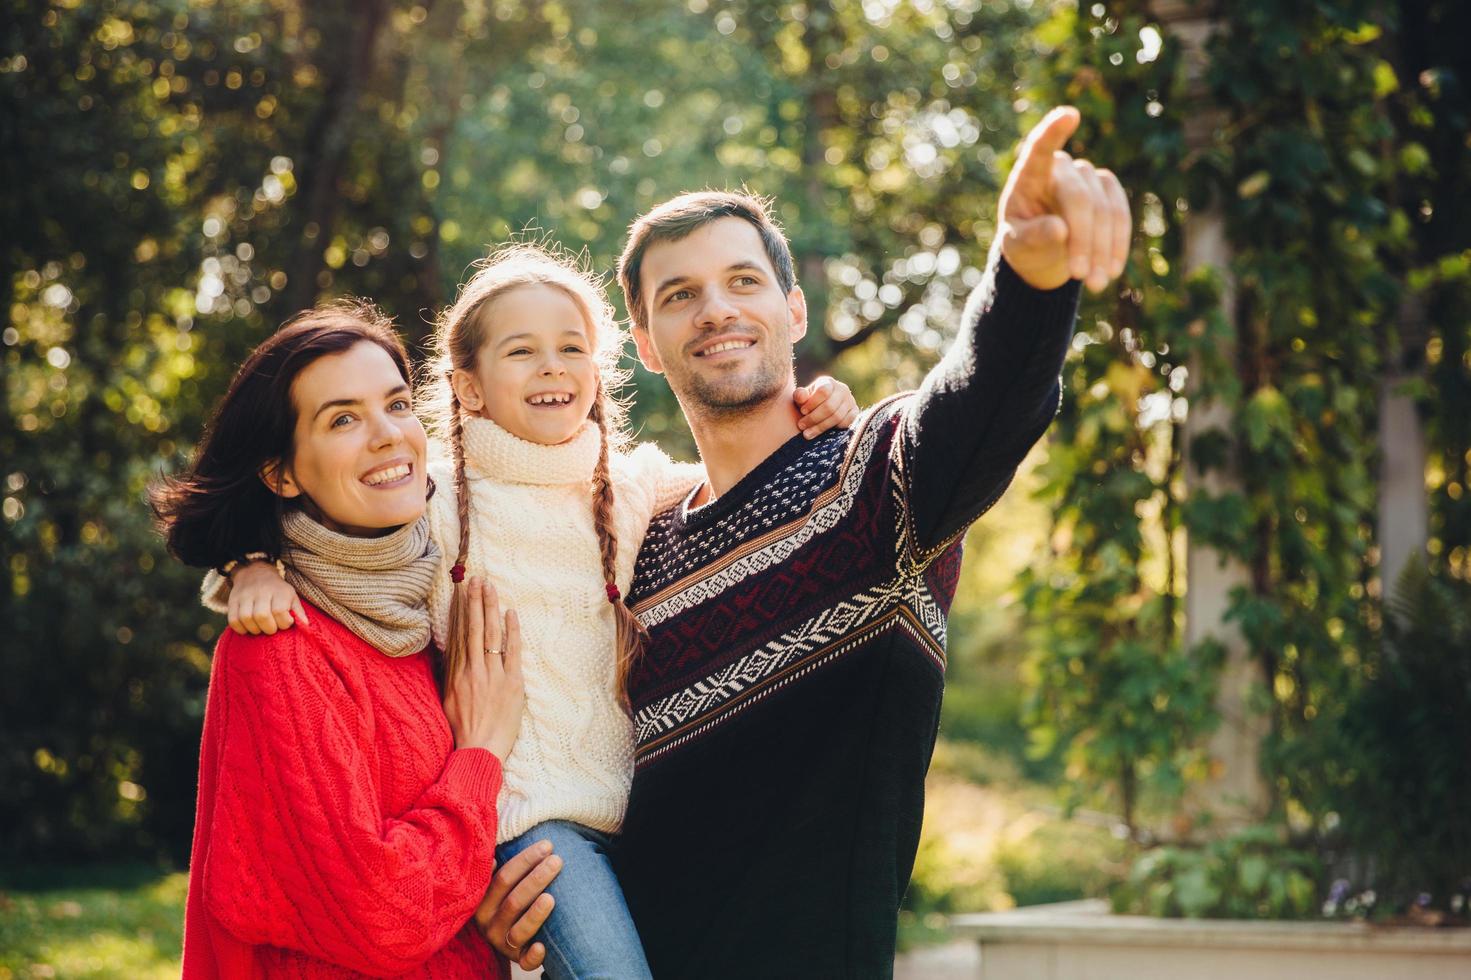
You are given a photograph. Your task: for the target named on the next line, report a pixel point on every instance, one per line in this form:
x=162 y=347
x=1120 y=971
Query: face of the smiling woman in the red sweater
x=360 y=448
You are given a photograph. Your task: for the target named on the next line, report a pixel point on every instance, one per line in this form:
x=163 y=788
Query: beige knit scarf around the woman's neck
x=379 y=588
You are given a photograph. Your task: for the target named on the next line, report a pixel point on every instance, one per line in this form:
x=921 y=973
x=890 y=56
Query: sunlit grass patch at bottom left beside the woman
x=92 y=923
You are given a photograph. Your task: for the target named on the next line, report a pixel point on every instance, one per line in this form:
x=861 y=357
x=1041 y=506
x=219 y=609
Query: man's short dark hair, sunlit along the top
x=676 y=220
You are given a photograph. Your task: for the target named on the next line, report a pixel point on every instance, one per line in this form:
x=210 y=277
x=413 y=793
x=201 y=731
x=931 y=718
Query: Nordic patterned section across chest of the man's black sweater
x=820 y=494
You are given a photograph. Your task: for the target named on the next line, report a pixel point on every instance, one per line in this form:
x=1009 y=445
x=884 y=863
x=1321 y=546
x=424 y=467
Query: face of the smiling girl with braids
x=535 y=374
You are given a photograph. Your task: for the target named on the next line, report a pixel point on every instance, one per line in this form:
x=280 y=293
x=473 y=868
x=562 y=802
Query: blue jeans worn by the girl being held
x=591 y=935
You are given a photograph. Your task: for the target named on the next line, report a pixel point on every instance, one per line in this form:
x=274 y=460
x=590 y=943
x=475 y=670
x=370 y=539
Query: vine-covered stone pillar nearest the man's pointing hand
x=1235 y=794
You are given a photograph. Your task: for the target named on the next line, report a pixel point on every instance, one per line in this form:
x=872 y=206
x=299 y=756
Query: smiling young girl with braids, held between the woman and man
x=539 y=498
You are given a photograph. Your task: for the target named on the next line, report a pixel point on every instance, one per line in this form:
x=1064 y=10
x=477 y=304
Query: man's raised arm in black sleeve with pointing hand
x=1060 y=223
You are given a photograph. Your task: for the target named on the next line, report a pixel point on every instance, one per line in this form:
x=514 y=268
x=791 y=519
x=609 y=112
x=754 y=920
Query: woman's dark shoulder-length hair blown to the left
x=221 y=510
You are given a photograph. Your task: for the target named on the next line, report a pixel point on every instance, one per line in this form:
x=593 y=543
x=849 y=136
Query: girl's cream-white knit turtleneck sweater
x=533 y=536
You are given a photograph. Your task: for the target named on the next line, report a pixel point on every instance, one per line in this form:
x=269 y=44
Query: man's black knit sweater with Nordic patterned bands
x=788 y=706
